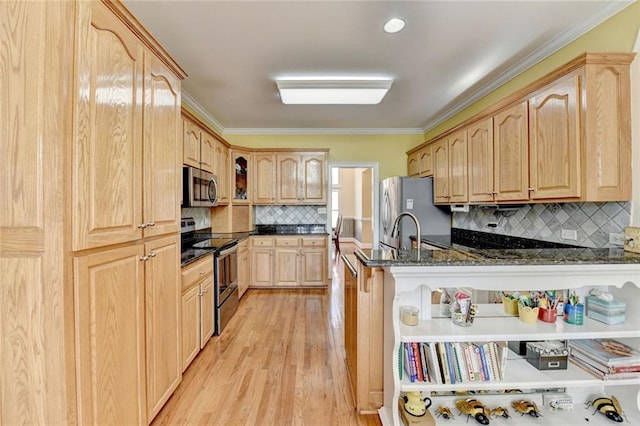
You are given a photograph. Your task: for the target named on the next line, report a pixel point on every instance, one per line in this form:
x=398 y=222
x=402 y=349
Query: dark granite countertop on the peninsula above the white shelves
x=465 y=256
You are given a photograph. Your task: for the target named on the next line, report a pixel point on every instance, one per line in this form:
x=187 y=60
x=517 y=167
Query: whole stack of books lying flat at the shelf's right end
x=607 y=359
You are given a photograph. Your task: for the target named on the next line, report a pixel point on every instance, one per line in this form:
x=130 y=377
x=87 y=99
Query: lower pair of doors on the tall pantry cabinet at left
x=127 y=331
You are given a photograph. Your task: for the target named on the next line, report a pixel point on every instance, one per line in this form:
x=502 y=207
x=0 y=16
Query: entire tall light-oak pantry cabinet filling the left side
x=89 y=251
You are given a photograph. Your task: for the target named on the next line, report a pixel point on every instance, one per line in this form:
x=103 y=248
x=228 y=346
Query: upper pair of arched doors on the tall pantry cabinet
x=127 y=176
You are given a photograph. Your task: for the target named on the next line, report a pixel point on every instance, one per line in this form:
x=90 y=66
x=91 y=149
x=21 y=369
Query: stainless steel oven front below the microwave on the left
x=226 y=285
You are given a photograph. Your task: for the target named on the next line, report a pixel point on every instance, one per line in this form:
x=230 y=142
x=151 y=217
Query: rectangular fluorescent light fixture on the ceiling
x=317 y=91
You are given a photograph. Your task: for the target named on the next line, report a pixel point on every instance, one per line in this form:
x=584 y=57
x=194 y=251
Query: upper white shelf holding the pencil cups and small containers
x=493 y=324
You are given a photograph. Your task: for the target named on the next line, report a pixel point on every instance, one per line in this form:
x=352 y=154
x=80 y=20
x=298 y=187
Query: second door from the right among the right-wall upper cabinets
x=511 y=153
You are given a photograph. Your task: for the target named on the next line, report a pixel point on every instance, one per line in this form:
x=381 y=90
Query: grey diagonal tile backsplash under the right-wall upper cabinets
x=592 y=221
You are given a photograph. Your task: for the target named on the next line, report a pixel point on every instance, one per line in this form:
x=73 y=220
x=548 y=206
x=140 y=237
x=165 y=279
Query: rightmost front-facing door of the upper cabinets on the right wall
x=553 y=137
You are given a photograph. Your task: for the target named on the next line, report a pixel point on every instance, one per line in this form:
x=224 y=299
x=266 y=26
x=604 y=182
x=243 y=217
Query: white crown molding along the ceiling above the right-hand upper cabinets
x=540 y=54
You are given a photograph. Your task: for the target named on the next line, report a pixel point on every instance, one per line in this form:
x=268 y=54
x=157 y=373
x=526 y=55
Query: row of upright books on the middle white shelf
x=454 y=362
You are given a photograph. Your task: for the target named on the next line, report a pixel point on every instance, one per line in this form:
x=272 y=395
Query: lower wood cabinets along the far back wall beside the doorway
x=288 y=261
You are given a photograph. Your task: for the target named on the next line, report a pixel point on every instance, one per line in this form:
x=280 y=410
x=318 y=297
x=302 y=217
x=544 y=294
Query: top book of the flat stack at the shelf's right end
x=610 y=352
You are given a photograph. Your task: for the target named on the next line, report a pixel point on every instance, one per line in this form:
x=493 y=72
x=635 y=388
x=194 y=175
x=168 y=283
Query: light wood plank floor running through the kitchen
x=280 y=361
